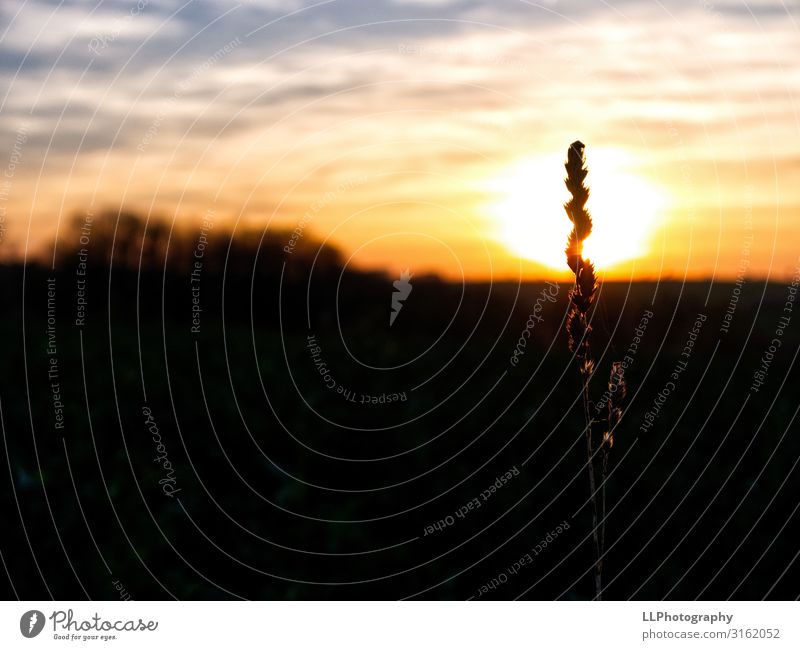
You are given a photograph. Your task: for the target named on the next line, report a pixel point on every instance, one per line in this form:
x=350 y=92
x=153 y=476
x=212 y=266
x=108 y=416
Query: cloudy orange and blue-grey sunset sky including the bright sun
x=419 y=134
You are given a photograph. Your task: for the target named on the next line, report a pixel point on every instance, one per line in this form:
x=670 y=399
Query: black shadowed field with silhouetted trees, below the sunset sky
x=276 y=481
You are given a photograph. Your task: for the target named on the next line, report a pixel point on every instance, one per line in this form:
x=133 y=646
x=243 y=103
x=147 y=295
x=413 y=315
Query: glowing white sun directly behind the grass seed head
x=527 y=213
